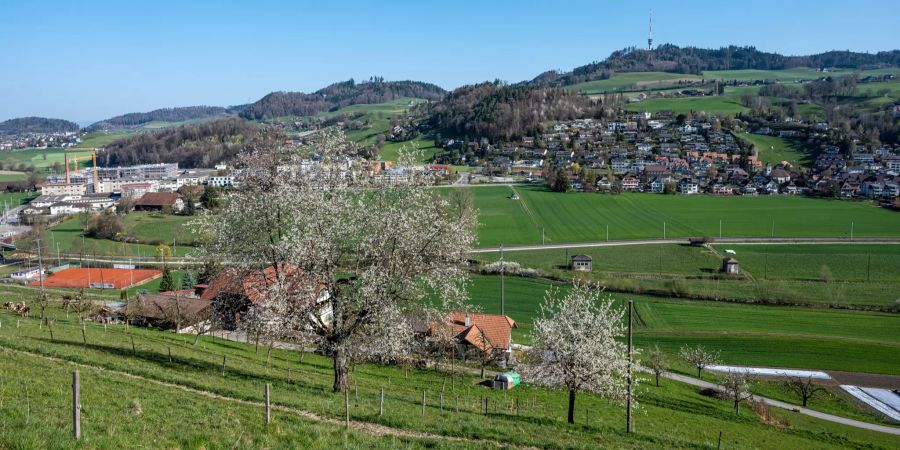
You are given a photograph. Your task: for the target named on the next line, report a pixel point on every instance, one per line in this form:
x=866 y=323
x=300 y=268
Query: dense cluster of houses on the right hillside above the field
x=662 y=153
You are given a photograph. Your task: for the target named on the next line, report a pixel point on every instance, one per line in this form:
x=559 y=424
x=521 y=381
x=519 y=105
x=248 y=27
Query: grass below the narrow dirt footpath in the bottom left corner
x=118 y=411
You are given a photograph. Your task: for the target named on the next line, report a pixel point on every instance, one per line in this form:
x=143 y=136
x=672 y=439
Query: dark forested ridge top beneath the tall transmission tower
x=693 y=60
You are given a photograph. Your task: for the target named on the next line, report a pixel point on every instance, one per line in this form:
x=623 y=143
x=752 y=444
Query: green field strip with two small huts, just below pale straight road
x=839 y=275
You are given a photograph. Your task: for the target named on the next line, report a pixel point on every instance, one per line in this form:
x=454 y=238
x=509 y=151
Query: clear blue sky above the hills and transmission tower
x=89 y=60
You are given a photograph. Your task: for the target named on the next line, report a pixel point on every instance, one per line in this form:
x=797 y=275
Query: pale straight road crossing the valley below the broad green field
x=734 y=240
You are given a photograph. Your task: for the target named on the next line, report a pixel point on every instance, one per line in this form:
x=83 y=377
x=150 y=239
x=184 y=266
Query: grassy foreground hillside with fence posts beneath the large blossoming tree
x=672 y=416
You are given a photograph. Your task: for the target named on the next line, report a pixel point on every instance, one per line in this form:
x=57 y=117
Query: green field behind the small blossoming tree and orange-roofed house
x=745 y=334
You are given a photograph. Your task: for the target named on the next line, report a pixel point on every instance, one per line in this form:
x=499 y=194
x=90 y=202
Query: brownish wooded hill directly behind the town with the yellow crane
x=197 y=145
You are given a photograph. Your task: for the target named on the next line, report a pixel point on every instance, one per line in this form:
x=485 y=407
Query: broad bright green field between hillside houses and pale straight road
x=584 y=217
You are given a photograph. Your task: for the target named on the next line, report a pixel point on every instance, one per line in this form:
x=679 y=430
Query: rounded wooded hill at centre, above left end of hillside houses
x=501 y=112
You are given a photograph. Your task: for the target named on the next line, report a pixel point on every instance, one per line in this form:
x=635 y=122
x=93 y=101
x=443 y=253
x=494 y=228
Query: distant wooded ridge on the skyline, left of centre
x=278 y=104
